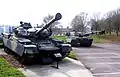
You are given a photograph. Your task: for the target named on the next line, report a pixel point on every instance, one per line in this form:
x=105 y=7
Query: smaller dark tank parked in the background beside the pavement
x=79 y=39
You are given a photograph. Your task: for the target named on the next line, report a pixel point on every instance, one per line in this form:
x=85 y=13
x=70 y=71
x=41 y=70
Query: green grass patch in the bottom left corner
x=6 y=70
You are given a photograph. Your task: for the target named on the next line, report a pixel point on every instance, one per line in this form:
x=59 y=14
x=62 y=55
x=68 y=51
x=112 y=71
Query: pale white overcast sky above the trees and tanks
x=13 y=11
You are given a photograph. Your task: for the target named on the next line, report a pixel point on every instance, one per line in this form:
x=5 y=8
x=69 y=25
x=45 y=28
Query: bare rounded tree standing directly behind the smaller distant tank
x=79 y=23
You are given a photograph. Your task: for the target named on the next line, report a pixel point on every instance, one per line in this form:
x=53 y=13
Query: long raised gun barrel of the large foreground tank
x=58 y=16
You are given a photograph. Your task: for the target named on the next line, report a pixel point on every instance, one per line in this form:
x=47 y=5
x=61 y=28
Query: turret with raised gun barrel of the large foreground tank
x=26 y=30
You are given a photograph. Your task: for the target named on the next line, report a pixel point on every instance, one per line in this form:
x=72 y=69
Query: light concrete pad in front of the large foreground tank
x=67 y=68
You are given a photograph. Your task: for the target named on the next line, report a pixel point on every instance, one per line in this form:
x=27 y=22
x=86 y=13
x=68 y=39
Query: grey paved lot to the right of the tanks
x=103 y=60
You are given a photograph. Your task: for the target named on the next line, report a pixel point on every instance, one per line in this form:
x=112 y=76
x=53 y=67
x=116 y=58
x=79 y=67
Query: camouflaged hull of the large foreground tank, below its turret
x=29 y=53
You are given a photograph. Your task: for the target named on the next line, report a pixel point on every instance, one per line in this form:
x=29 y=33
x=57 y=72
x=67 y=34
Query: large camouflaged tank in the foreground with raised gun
x=32 y=44
